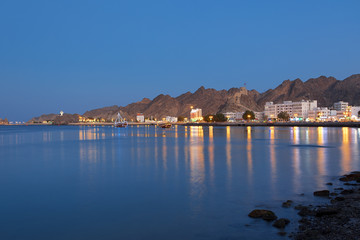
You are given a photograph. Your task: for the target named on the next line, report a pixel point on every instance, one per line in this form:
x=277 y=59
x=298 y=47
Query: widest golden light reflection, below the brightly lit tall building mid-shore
x=197 y=167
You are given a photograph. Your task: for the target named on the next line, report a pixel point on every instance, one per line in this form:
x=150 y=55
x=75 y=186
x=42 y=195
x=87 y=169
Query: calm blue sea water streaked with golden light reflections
x=150 y=183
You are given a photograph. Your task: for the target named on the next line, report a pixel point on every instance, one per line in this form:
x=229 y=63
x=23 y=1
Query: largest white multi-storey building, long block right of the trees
x=297 y=110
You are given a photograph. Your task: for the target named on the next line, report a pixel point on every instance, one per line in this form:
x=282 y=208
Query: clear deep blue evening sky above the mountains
x=80 y=55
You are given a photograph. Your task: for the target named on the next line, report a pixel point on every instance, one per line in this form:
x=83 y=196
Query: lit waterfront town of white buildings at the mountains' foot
x=287 y=111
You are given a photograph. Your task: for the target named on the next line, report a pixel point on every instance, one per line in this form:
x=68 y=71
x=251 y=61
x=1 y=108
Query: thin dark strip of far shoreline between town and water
x=225 y=124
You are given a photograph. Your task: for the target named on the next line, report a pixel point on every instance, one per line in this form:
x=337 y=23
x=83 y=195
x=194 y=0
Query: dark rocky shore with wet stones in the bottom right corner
x=339 y=219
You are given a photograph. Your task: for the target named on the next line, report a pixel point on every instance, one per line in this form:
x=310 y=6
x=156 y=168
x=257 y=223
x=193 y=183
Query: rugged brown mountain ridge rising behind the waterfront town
x=326 y=90
